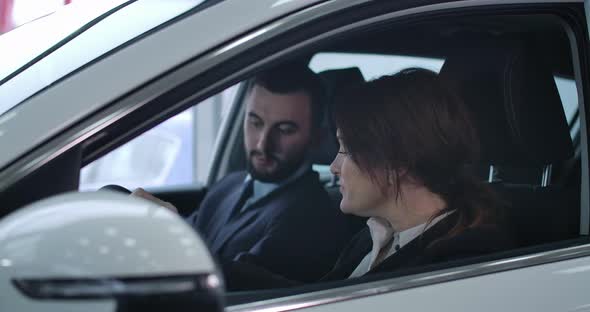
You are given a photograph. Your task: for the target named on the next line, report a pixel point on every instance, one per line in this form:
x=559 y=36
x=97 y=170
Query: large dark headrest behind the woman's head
x=514 y=101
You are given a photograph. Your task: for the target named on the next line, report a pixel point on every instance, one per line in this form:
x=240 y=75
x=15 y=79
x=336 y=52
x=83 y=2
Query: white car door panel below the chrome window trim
x=560 y=286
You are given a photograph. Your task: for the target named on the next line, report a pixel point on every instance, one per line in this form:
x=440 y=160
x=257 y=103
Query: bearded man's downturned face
x=277 y=133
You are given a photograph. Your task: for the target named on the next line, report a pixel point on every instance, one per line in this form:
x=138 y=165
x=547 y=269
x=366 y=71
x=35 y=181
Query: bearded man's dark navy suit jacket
x=294 y=231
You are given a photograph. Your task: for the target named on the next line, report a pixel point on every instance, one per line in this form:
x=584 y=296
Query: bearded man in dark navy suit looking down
x=276 y=214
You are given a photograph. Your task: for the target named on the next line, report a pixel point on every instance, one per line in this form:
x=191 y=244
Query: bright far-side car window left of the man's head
x=176 y=152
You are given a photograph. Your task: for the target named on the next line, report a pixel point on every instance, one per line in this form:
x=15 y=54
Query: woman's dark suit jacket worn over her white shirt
x=423 y=250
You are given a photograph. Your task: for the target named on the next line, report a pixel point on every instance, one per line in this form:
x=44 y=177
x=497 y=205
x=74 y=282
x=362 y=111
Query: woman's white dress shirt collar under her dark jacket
x=386 y=242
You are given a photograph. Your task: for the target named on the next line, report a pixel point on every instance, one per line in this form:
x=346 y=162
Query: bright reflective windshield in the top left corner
x=39 y=53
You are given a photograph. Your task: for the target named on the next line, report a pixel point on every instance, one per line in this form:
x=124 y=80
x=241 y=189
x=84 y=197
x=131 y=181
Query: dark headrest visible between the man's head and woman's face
x=334 y=80
